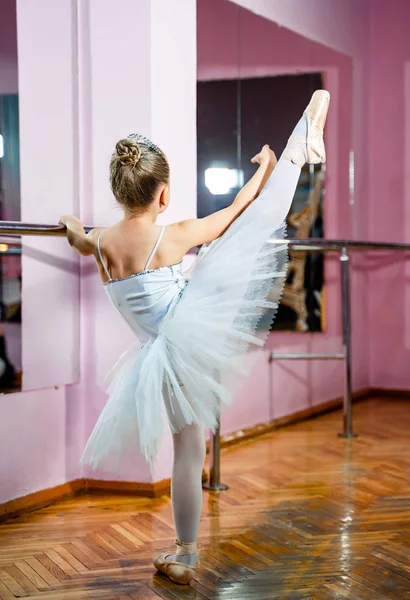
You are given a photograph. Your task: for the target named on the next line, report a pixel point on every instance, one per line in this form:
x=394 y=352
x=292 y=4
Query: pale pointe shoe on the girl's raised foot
x=310 y=148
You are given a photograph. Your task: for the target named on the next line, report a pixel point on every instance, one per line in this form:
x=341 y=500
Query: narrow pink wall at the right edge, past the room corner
x=389 y=192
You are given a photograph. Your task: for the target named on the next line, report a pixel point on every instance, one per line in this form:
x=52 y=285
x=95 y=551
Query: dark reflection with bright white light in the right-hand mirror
x=224 y=162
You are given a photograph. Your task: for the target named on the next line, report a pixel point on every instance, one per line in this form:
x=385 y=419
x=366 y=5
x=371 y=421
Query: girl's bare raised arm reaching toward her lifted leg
x=196 y=232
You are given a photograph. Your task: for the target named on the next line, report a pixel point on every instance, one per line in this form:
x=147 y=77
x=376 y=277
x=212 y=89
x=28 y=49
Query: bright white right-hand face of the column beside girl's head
x=173 y=99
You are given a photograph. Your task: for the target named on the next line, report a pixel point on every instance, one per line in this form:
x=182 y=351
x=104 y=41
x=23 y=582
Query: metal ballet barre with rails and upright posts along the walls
x=343 y=247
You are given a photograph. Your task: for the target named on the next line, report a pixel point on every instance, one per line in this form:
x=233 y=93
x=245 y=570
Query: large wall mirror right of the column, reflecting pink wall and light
x=254 y=81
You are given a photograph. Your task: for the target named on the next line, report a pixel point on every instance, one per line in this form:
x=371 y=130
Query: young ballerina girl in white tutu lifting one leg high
x=190 y=326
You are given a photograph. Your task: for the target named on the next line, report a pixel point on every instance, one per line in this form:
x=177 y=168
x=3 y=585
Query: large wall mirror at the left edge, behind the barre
x=39 y=336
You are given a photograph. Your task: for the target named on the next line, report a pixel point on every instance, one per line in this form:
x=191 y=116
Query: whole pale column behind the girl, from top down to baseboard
x=137 y=73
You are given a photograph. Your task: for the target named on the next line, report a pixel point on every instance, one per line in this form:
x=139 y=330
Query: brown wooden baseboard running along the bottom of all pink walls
x=43 y=498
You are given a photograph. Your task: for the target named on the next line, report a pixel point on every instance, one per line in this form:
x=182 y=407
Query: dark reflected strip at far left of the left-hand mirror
x=10 y=250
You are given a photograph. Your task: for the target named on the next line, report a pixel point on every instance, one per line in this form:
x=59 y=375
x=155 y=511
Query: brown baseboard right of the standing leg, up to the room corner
x=250 y=433
